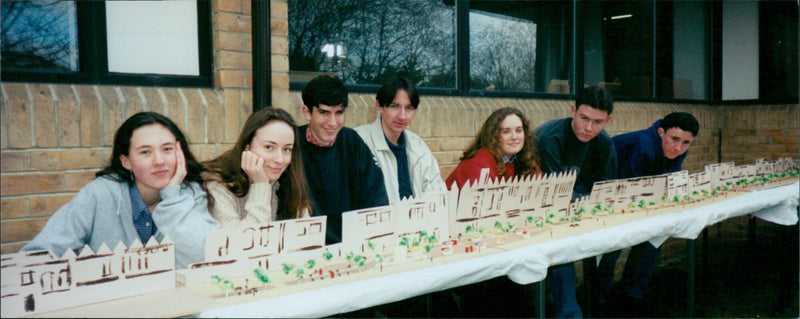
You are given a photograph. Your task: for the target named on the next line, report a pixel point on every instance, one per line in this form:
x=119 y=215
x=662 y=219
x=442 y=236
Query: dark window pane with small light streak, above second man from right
x=618 y=46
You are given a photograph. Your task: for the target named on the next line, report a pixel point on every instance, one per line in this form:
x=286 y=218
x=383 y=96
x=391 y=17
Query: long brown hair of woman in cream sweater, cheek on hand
x=293 y=196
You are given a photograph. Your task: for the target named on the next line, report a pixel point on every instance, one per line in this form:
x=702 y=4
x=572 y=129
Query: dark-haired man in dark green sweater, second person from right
x=578 y=142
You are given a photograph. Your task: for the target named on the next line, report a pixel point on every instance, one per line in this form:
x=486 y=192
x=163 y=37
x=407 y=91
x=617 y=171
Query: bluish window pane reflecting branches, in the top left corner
x=39 y=35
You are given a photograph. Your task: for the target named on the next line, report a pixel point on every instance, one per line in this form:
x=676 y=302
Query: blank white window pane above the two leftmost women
x=156 y=37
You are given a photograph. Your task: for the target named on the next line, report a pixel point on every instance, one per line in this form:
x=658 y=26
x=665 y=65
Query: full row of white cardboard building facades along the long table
x=36 y=282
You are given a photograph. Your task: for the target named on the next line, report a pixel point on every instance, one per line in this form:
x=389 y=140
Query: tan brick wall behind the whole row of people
x=53 y=138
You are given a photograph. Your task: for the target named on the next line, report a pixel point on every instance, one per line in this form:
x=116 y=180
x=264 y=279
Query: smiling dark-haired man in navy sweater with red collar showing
x=342 y=173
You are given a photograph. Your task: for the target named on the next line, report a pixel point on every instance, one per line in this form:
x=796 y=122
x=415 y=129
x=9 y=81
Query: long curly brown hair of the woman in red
x=489 y=138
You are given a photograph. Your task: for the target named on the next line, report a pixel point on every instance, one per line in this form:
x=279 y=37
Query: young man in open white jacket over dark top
x=408 y=166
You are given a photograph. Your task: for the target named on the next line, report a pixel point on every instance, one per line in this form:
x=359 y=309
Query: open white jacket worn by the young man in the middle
x=422 y=166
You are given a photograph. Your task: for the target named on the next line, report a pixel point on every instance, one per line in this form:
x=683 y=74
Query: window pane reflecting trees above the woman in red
x=521 y=46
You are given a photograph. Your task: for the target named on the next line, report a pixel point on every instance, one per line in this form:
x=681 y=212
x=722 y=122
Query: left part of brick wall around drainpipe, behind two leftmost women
x=53 y=138
